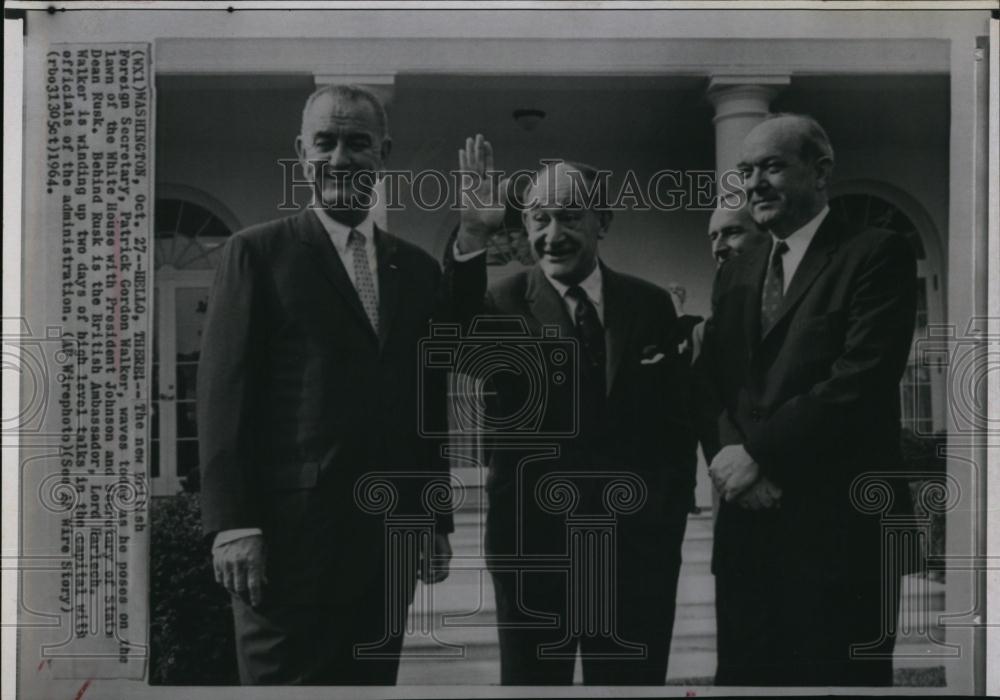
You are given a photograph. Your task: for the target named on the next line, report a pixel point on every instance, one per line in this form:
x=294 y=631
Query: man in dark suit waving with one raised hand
x=584 y=528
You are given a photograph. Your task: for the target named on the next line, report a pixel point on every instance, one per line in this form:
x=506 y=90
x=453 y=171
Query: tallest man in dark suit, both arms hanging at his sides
x=308 y=385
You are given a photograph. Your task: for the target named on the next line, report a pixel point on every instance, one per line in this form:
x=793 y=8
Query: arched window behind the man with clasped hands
x=873 y=204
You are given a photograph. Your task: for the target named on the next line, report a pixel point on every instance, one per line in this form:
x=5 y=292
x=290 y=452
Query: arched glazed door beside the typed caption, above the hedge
x=191 y=229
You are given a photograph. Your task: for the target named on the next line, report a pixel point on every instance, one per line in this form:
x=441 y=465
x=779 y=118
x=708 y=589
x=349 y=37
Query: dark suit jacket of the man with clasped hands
x=816 y=400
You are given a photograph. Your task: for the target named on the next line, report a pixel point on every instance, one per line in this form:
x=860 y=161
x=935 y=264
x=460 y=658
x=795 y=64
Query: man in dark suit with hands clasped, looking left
x=808 y=340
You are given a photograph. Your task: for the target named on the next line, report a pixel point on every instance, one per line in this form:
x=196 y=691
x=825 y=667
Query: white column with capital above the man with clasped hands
x=741 y=102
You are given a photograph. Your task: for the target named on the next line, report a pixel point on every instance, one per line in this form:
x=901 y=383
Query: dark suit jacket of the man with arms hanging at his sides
x=298 y=398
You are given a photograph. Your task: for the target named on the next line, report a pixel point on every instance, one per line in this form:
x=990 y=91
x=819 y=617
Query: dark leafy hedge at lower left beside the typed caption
x=191 y=630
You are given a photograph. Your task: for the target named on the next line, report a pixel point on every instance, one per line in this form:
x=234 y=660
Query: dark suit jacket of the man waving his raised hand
x=645 y=427
